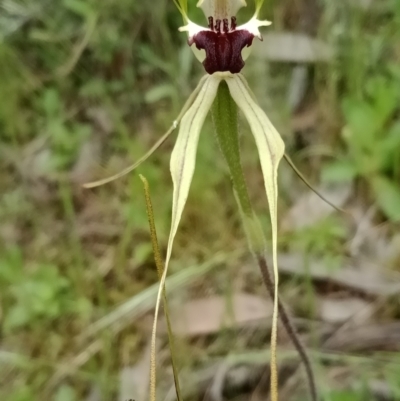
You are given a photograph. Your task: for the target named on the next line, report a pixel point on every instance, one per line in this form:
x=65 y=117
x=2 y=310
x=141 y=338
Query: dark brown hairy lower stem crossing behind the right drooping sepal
x=291 y=331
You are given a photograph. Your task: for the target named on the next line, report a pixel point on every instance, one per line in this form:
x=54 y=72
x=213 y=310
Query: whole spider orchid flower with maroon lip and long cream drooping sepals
x=222 y=47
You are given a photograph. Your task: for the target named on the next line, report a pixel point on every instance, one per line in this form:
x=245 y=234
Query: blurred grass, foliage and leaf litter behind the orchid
x=85 y=88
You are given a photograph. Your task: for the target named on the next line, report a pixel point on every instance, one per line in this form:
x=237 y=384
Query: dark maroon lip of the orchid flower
x=223 y=45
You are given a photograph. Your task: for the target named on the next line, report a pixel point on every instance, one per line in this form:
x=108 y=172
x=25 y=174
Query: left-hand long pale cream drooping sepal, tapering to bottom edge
x=182 y=168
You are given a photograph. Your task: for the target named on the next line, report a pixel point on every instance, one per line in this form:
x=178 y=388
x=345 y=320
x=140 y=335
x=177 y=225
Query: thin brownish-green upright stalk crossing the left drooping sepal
x=160 y=269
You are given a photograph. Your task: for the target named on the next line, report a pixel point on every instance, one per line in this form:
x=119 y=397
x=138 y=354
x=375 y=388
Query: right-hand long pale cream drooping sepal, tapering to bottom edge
x=271 y=149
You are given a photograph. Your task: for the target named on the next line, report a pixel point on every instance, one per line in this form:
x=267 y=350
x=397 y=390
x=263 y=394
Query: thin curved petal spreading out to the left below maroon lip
x=175 y=124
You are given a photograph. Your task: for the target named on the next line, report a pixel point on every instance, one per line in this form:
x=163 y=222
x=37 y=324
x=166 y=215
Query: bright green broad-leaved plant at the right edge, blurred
x=372 y=138
